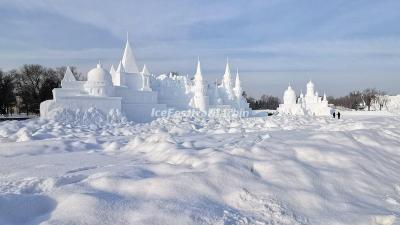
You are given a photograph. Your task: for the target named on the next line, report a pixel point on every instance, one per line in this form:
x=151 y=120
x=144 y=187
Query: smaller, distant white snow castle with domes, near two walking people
x=311 y=103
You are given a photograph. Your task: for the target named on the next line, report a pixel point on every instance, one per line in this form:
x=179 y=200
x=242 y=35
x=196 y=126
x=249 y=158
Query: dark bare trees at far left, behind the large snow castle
x=23 y=89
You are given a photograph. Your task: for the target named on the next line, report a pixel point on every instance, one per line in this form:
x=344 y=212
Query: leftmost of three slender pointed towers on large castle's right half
x=200 y=99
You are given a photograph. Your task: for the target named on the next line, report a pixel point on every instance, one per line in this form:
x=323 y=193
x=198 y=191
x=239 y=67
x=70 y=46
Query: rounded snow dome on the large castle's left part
x=99 y=82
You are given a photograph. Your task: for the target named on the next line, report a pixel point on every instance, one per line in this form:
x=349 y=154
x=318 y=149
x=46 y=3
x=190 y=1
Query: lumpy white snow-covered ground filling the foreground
x=275 y=170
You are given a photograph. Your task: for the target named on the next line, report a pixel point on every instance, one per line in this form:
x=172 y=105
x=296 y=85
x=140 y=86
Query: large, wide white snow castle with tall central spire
x=137 y=94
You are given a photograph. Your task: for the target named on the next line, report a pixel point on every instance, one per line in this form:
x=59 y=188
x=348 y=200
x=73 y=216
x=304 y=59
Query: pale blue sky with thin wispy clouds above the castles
x=341 y=45
